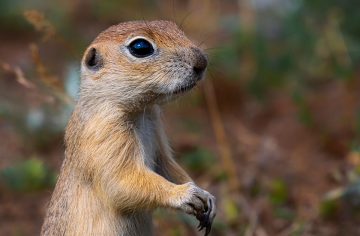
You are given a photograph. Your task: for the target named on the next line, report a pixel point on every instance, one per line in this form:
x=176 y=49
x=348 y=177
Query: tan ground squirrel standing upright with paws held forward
x=118 y=165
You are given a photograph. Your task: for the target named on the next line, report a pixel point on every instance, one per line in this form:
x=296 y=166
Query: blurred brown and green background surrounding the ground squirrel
x=273 y=132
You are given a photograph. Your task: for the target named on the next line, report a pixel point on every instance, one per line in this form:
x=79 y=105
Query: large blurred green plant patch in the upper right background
x=302 y=47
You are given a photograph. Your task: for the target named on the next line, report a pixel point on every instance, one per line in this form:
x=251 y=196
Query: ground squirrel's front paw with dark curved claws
x=201 y=204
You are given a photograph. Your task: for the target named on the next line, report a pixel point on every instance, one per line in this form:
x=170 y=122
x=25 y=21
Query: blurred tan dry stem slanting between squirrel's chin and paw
x=223 y=144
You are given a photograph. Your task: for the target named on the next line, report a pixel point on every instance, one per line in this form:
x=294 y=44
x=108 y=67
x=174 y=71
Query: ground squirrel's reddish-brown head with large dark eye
x=138 y=63
